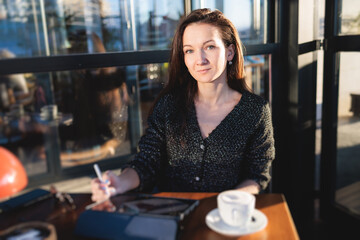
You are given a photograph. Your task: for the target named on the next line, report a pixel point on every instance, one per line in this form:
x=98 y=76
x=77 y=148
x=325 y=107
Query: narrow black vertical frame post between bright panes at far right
x=329 y=114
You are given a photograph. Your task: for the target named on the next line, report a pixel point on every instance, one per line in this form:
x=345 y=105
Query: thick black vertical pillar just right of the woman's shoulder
x=282 y=176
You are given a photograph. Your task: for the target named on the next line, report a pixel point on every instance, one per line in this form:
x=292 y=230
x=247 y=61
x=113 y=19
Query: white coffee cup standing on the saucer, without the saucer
x=236 y=207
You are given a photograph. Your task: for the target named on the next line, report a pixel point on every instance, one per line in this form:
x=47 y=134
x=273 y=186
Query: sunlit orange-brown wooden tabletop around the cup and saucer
x=280 y=223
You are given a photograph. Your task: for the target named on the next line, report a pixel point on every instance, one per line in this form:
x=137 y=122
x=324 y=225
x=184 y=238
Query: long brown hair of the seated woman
x=180 y=83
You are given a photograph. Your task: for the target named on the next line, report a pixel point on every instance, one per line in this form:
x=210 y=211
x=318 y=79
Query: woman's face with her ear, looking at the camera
x=205 y=54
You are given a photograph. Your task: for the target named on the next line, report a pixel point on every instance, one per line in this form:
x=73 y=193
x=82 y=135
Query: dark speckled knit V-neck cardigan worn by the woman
x=176 y=159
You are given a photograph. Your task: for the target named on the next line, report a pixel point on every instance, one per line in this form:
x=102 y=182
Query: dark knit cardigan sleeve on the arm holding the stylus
x=151 y=146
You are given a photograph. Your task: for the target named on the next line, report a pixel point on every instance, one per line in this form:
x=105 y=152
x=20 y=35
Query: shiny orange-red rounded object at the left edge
x=13 y=176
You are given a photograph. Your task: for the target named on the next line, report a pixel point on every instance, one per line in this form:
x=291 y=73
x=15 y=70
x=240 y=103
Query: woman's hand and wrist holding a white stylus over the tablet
x=114 y=184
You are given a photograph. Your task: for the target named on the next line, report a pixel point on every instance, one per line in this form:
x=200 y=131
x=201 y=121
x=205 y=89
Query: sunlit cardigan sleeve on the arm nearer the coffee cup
x=261 y=151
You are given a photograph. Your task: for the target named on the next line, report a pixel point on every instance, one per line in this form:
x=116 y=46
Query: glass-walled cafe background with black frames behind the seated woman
x=77 y=79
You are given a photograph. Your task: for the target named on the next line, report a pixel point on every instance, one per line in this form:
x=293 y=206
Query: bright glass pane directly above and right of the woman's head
x=248 y=16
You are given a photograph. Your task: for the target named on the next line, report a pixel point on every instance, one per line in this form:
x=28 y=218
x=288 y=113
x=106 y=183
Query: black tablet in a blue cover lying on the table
x=134 y=216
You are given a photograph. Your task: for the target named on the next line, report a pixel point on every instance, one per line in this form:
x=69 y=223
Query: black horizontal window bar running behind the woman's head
x=99 y=60
